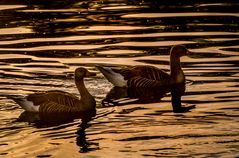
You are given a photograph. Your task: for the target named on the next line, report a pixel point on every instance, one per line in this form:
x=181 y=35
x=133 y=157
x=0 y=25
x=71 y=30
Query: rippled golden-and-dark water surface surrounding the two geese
x=42 y=42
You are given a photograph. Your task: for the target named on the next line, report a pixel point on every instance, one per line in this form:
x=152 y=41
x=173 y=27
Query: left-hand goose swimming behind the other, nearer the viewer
x=56 y=101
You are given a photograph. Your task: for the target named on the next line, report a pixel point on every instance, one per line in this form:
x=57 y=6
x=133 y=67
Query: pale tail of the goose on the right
x=115 y=78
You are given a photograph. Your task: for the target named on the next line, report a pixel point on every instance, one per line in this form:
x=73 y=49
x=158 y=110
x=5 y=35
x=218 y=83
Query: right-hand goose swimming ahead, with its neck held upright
x=146 y=75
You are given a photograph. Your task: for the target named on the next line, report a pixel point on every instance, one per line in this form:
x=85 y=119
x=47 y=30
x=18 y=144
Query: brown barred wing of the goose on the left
x=56 y=97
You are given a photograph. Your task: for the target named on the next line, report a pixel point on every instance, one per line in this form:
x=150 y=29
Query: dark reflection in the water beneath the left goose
x=62 y=120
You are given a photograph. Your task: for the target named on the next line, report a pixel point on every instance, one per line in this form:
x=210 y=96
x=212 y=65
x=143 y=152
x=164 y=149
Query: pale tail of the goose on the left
x=25 y=104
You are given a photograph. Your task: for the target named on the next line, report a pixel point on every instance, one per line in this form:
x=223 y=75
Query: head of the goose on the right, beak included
x=179 y=51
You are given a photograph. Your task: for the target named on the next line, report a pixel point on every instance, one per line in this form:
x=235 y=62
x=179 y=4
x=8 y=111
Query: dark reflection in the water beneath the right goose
x=122 y=96
